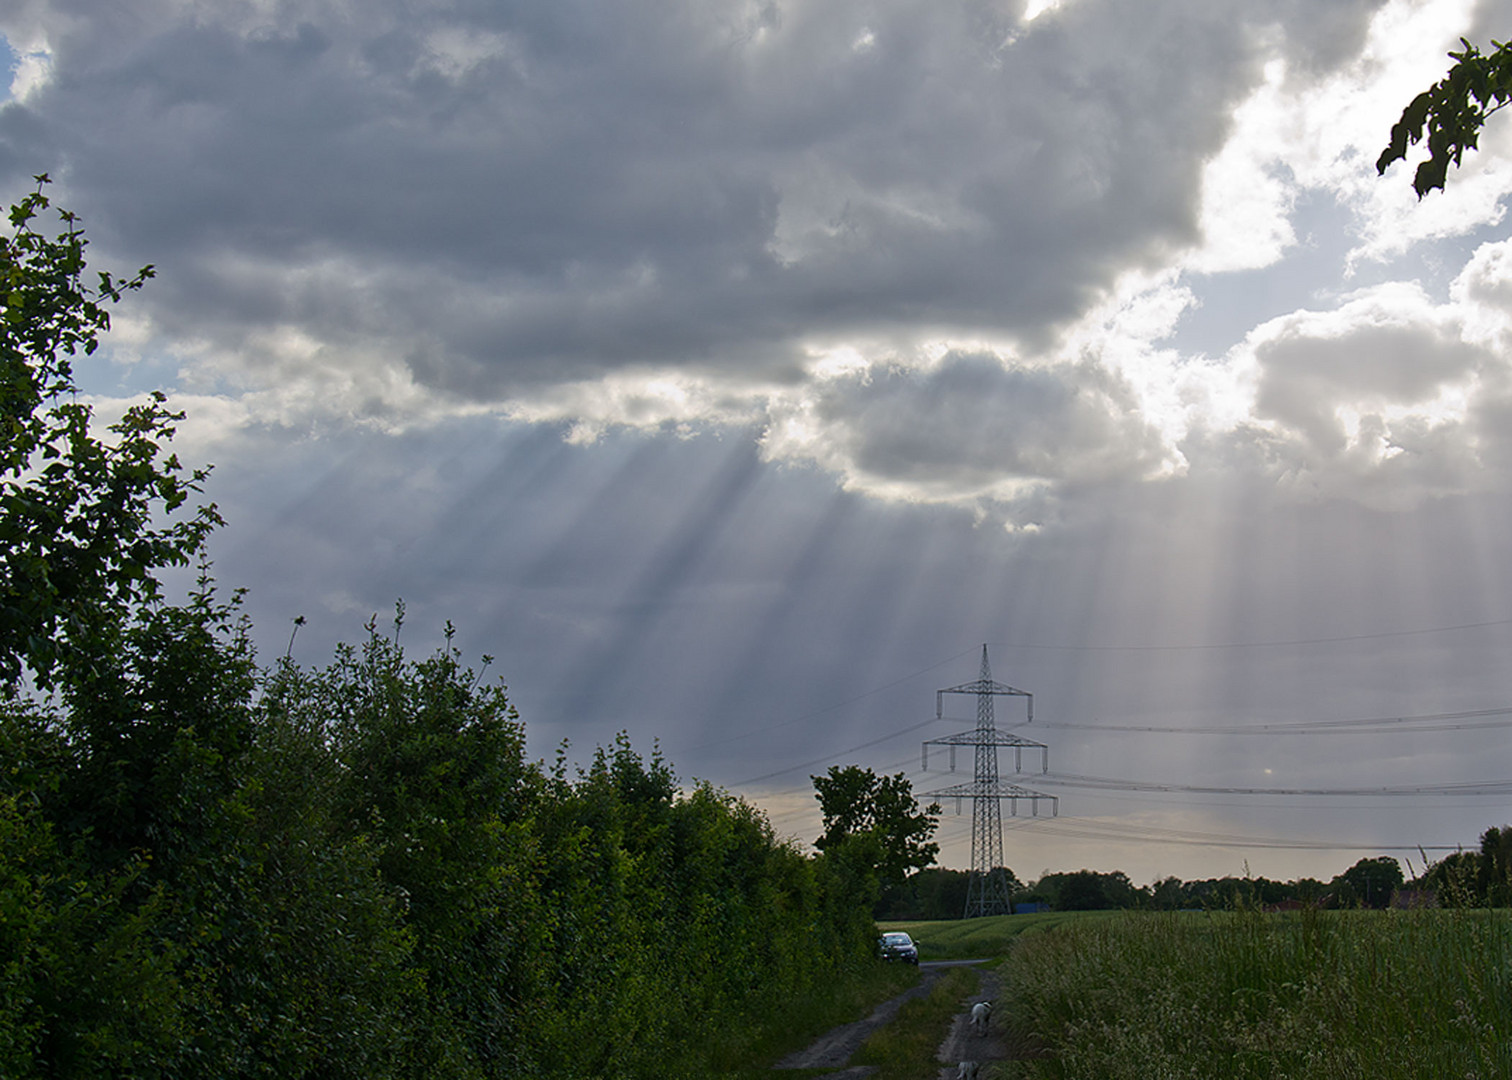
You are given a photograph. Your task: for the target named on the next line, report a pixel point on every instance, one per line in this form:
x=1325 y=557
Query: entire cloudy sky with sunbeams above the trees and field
x=733 y=371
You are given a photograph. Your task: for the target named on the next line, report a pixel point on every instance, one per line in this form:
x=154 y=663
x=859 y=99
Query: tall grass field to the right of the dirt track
x=1266 y=998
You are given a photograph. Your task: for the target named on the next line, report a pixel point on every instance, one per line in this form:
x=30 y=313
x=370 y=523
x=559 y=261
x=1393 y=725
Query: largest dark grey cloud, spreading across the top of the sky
x=501 y=196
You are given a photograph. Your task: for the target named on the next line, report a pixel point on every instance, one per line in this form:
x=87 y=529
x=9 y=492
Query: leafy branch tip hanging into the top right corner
x=1451 y=114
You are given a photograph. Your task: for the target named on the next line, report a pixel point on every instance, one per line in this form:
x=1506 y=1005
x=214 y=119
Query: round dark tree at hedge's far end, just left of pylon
x=878 y=815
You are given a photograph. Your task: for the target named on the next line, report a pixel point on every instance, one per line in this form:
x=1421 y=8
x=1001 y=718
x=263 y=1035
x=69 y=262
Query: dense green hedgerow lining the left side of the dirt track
x=212 y=871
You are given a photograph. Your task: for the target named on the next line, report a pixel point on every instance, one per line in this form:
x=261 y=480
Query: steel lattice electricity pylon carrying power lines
x=988 y=886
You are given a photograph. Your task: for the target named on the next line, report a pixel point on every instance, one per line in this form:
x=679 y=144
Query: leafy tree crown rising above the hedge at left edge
x=79 y=535
